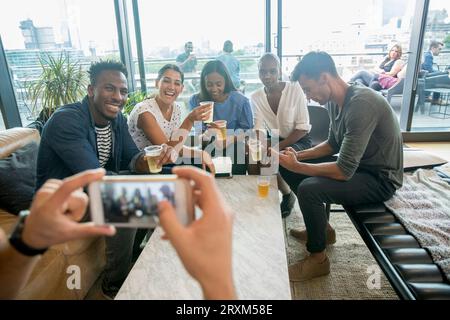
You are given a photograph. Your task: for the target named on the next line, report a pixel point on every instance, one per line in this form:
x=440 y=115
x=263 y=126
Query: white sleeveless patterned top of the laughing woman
x=151 y=106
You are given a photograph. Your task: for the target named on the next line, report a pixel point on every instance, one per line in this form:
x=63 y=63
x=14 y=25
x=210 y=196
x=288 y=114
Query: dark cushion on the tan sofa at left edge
x=18 y=175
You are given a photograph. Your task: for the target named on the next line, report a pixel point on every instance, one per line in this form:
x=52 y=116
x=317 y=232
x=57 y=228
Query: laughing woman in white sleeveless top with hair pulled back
x=157 y=120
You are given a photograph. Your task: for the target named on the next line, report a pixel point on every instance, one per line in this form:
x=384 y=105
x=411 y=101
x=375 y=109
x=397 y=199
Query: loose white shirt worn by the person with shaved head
x=292 y=111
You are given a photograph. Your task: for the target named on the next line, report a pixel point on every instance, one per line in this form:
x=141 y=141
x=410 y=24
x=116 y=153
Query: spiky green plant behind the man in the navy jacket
x=62 y=81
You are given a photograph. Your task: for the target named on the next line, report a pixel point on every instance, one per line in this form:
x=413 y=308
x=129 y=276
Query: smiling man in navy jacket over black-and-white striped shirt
x=91 y=134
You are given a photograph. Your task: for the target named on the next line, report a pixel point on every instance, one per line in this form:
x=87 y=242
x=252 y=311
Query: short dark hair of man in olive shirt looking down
x=313 y=65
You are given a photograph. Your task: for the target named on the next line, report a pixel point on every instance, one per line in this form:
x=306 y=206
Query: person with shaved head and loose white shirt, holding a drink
x=281 y=106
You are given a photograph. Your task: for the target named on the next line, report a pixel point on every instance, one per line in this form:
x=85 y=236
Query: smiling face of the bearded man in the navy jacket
x=107 y=96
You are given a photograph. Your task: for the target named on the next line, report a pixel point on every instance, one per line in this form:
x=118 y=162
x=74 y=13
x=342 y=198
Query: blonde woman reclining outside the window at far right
x=391 y=65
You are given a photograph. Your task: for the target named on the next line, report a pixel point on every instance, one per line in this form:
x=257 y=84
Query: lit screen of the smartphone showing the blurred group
x=133 y=202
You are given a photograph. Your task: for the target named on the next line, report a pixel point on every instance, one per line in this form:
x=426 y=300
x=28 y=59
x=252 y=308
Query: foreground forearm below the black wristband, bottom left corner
x=15 y=270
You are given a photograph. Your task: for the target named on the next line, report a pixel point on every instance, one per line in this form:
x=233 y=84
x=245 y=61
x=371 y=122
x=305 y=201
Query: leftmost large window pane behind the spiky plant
x=34 y=30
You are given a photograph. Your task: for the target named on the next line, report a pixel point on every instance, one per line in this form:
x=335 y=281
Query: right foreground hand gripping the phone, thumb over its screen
x=205 y=245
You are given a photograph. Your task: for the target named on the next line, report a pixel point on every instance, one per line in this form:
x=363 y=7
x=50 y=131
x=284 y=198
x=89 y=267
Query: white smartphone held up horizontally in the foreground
x=132 y=201
